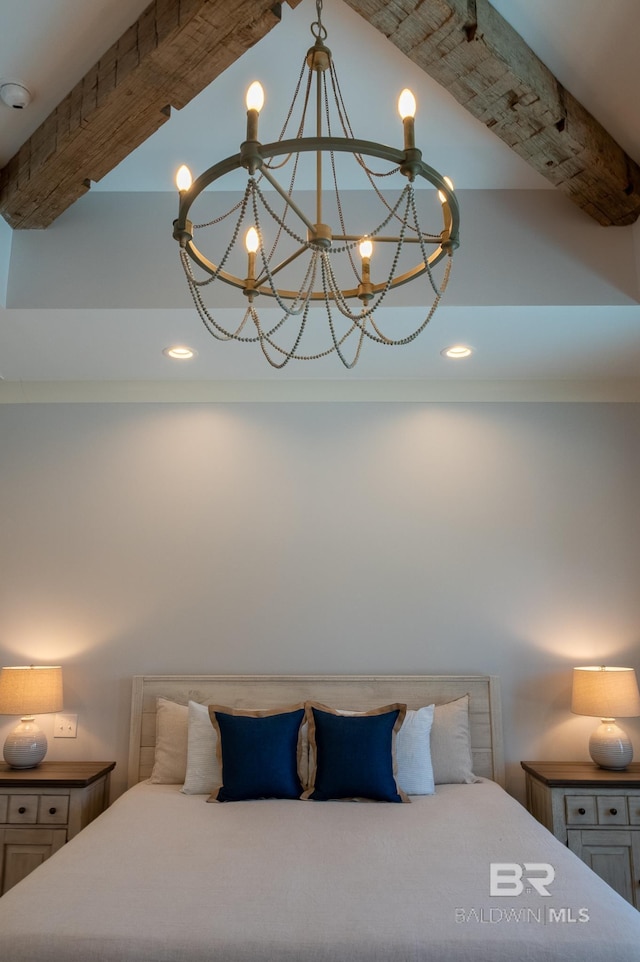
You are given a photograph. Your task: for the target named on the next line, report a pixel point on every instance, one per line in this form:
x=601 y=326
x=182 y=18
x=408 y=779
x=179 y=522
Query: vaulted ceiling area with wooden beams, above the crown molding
x=547 y=296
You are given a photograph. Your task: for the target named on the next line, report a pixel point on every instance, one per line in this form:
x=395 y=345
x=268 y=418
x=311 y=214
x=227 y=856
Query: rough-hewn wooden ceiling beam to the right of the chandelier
x=480 y=59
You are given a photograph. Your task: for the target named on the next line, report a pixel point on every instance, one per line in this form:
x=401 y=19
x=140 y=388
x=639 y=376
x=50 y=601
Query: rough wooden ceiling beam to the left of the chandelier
x=171 y=53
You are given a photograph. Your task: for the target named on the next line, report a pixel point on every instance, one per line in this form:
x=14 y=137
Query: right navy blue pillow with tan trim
x=354 y=754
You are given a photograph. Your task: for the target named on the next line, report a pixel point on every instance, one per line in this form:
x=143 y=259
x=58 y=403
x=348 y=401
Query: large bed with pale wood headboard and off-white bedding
x=463 y=873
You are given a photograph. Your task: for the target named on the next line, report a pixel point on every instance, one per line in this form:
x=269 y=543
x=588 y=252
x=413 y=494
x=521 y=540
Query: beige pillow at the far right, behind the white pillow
x=450 y=743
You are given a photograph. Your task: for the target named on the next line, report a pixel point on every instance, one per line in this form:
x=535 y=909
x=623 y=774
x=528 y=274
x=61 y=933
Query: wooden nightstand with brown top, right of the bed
x=596 y=813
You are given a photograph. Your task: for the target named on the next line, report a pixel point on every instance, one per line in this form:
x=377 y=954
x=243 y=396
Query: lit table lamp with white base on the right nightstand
x=607 y=693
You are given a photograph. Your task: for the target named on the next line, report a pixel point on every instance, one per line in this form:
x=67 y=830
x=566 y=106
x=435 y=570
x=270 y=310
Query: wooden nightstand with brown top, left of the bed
x=42 y=808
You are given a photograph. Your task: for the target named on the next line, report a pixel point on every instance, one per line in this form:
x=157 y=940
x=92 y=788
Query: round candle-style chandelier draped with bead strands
x=306 y=253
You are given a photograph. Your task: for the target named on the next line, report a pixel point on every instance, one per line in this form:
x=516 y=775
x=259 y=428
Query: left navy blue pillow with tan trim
x=259 y=753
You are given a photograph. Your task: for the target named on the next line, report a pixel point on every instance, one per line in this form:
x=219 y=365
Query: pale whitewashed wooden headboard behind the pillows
x=357 y=692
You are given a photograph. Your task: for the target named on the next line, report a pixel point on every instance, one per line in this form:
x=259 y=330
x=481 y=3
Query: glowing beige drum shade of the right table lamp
x=605 y=692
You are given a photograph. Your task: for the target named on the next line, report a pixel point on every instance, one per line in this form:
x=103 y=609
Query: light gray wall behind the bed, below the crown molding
x=321 y=538
